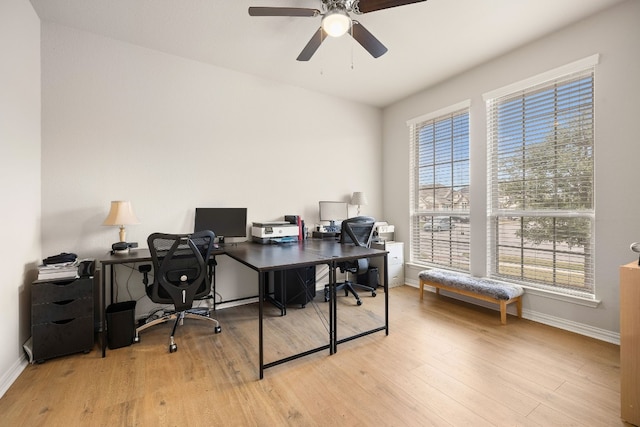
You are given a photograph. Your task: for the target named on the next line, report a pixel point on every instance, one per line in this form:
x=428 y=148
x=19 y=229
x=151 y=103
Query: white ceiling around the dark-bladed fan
x=427 y=41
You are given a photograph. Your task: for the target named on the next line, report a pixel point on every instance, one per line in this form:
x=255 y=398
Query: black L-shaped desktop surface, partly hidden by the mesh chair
x=270 y=257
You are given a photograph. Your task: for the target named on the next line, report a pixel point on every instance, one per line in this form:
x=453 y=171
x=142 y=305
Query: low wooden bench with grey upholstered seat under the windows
x=481 y=288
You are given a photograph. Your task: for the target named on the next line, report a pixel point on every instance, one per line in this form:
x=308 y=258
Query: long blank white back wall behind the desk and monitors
x=170 y=134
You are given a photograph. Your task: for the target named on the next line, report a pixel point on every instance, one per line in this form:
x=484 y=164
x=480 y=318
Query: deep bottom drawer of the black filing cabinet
x=57 y=339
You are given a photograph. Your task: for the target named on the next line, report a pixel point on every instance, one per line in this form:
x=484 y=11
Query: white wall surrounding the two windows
x=615 y=34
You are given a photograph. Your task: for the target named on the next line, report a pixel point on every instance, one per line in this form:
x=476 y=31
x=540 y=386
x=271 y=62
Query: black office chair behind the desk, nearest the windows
x=359 y=231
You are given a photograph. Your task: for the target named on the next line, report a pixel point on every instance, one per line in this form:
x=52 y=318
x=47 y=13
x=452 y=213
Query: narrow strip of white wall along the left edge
x=19 y=178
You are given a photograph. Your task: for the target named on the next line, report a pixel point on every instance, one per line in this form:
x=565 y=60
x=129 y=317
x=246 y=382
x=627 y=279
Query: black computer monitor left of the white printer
x=224 y=222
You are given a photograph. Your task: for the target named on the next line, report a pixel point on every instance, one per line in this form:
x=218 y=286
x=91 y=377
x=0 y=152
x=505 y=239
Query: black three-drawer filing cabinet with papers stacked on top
x=61 y=317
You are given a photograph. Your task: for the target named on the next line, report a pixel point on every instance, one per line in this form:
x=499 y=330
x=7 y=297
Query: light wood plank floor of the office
x=444 y=363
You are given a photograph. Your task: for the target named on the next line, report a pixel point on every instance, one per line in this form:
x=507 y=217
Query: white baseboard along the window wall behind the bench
x=556 y=322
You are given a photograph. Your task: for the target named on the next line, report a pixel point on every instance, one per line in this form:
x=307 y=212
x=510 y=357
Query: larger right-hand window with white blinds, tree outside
x=541 y=174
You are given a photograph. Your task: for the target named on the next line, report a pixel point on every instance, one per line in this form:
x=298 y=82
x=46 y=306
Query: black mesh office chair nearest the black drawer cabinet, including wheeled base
x=182 y=274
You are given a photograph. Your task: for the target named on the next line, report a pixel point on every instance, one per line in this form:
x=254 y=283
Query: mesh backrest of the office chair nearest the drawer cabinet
x=180 y=267
